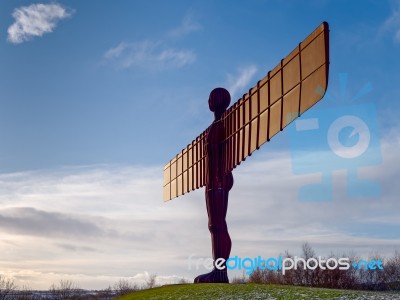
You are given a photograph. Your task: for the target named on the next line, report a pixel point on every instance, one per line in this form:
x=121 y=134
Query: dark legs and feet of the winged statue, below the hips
x=217 y=206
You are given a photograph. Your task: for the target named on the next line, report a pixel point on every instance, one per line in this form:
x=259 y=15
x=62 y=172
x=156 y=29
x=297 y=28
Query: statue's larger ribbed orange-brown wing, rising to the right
x=293 y=86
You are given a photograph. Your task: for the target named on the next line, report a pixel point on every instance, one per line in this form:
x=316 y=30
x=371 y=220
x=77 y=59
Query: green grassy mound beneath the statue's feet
x=251 y=291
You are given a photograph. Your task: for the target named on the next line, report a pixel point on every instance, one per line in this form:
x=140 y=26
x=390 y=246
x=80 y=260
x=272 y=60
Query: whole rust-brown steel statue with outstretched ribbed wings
x=292 y=87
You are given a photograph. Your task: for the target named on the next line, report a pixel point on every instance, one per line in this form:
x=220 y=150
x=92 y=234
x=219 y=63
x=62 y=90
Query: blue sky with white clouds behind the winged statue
x=97 y=96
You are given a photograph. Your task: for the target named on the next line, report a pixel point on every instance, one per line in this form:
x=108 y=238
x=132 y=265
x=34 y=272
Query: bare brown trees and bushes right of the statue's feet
x=353 y=278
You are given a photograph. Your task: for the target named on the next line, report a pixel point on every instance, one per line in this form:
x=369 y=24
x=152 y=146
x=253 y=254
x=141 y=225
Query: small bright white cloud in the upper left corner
x=35 y=20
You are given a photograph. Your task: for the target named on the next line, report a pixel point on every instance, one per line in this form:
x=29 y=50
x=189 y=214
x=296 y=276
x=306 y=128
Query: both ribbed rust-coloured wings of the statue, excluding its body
x=292 y=87
